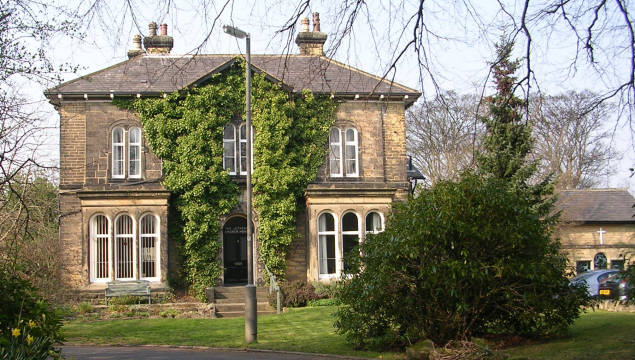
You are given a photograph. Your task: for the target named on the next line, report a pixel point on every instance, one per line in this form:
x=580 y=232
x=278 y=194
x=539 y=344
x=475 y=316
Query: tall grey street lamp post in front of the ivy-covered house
x=251 y=314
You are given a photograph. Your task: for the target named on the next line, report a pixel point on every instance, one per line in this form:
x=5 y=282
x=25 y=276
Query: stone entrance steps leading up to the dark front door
x=229 y=301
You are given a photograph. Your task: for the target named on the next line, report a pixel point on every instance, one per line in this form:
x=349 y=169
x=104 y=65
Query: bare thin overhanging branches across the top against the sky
x=557 y=37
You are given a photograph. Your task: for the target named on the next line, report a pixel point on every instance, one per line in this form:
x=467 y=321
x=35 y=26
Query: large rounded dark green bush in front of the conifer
x=463 y=259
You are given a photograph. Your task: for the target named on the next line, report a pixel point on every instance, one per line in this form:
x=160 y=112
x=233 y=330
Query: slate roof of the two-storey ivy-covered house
x=156 y=74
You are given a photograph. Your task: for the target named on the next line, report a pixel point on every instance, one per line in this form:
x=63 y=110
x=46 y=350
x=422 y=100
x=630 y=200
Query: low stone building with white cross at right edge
x=597 y=227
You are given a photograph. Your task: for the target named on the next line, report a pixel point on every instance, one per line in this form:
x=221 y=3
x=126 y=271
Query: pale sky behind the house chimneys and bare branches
x=458 y=55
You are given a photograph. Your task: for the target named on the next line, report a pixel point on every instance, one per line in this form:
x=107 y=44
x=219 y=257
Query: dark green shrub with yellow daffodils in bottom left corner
x=29 y=326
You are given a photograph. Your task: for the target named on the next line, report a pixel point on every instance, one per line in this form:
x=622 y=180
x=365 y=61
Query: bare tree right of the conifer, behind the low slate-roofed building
x=571 y=138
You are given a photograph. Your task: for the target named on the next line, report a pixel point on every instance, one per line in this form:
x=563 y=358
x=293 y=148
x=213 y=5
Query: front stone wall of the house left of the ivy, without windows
x=86 y=187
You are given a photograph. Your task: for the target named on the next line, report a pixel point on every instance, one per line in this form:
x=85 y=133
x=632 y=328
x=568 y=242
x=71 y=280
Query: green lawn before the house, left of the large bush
x=304 y=330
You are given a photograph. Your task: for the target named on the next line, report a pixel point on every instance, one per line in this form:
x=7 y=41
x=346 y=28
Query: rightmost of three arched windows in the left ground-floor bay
x=149 y=246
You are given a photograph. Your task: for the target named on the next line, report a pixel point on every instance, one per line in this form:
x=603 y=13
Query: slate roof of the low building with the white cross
x=596 y=206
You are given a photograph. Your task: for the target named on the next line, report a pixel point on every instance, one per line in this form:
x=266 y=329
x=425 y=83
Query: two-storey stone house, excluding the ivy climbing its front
x=114 y=209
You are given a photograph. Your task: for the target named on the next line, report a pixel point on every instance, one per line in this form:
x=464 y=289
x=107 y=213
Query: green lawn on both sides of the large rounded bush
x=596 y=335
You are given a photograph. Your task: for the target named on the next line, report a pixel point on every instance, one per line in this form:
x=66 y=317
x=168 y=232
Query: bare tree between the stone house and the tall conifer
x=442 y=135
